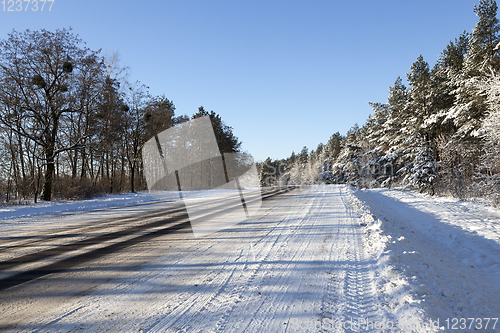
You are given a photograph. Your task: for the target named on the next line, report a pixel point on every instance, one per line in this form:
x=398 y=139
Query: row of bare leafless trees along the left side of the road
x=71 y=125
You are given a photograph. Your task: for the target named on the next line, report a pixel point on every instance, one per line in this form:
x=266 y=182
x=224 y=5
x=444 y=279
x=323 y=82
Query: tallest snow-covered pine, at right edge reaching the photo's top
x=465 y=146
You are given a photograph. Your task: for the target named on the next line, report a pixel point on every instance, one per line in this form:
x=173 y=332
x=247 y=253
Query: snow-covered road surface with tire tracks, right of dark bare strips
x=299 y=261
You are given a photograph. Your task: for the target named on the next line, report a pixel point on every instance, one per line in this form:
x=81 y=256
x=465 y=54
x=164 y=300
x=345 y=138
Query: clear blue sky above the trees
x=283 y=74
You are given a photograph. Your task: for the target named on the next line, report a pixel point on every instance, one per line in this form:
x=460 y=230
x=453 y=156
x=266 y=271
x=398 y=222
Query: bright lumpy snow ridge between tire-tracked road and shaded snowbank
x=394 y=288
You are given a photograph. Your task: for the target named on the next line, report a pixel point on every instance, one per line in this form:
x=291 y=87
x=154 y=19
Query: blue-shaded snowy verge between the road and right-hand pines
x=446 y=253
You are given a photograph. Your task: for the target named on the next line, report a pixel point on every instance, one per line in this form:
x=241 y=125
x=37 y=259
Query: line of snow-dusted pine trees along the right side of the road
x=439 y=133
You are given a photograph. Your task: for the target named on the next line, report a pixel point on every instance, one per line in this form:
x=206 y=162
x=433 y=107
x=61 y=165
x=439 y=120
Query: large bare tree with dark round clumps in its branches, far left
x=44 y=77
